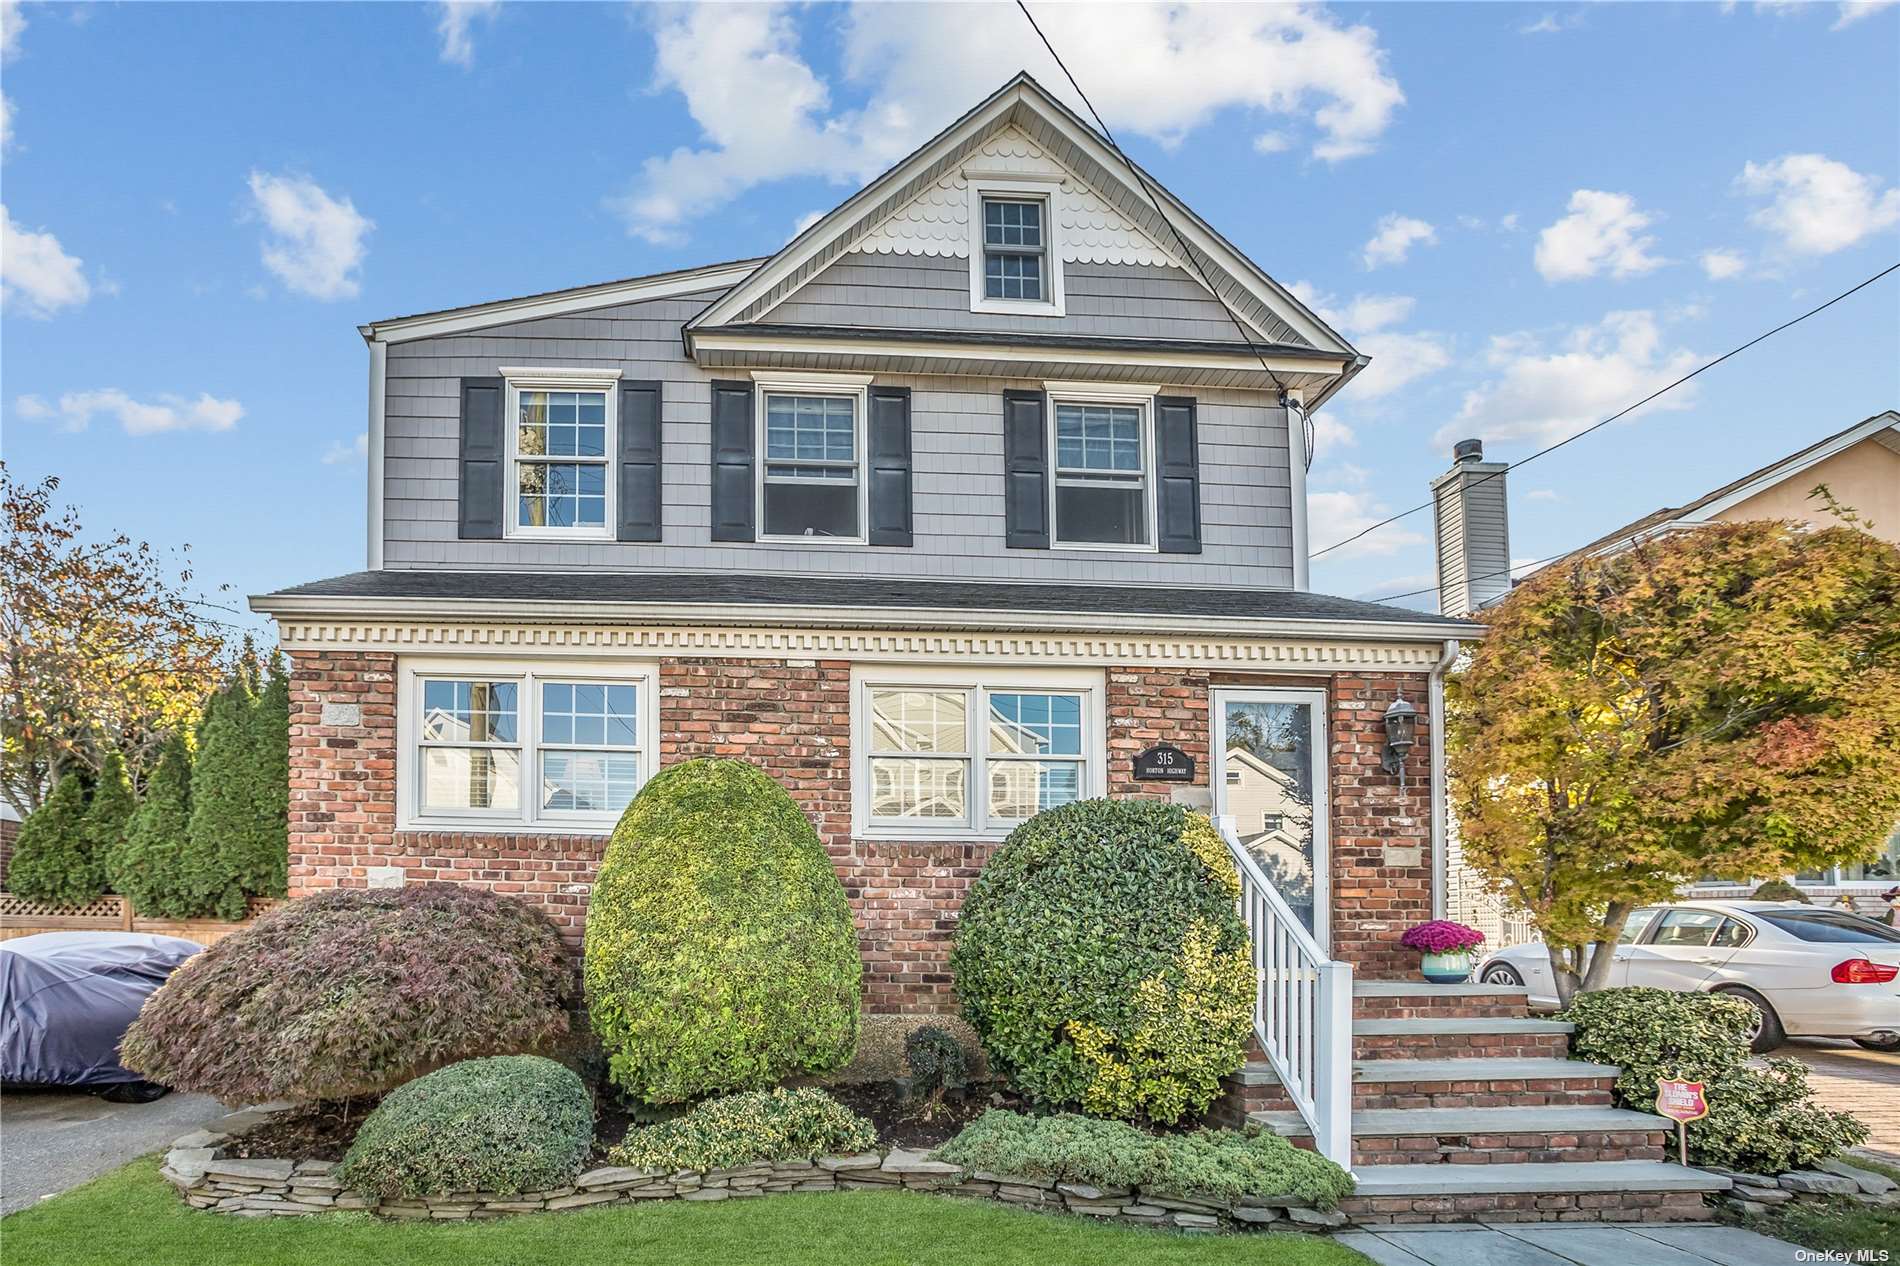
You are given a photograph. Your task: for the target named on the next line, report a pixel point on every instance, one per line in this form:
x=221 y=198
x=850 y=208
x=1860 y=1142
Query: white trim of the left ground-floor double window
x=525 y=818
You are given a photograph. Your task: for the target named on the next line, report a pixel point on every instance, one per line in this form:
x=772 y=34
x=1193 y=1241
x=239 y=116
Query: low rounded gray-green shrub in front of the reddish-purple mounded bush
x=504 y=1124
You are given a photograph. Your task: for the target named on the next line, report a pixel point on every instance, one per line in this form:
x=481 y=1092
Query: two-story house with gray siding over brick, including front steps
x=983 y=495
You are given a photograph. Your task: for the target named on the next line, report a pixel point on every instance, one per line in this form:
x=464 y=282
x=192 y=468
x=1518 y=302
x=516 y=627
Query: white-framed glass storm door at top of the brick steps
x=1270 y=777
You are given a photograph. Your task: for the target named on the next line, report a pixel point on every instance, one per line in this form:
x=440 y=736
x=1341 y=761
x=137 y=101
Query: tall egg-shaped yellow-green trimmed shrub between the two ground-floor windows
x=721 y=953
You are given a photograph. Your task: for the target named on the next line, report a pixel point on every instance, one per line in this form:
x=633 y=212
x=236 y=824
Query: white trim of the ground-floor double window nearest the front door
x=979 y=681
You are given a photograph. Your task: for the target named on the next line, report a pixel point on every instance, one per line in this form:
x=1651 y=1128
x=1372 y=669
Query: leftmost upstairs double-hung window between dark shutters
x=561 y=438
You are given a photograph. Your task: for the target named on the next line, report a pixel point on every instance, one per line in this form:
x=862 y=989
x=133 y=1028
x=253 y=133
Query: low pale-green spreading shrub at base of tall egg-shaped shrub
x=757 y=1126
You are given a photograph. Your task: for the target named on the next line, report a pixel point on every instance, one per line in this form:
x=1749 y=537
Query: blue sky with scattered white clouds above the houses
x=1529 y=216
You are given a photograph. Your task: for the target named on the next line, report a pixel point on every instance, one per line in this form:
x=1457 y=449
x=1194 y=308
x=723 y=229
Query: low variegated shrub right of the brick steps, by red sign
x=1760 y=1121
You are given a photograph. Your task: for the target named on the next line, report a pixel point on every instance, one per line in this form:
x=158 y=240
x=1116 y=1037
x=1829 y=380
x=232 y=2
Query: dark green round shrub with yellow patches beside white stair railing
x=1103 y=963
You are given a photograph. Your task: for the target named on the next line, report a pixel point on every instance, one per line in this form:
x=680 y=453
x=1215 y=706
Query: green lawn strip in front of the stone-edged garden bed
x=134 y=1218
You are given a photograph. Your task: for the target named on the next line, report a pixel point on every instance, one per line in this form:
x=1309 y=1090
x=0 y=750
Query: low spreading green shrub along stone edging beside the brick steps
x=1223 y=1166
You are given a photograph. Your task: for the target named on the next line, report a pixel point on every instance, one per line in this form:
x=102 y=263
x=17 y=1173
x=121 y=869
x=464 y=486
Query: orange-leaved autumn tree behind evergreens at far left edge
x=102 y=649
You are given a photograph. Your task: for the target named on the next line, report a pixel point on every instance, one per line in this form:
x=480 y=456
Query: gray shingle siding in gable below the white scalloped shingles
x=932 y=292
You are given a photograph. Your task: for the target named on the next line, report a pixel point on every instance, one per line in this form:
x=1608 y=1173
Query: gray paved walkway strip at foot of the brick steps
x=1549 y=1244
